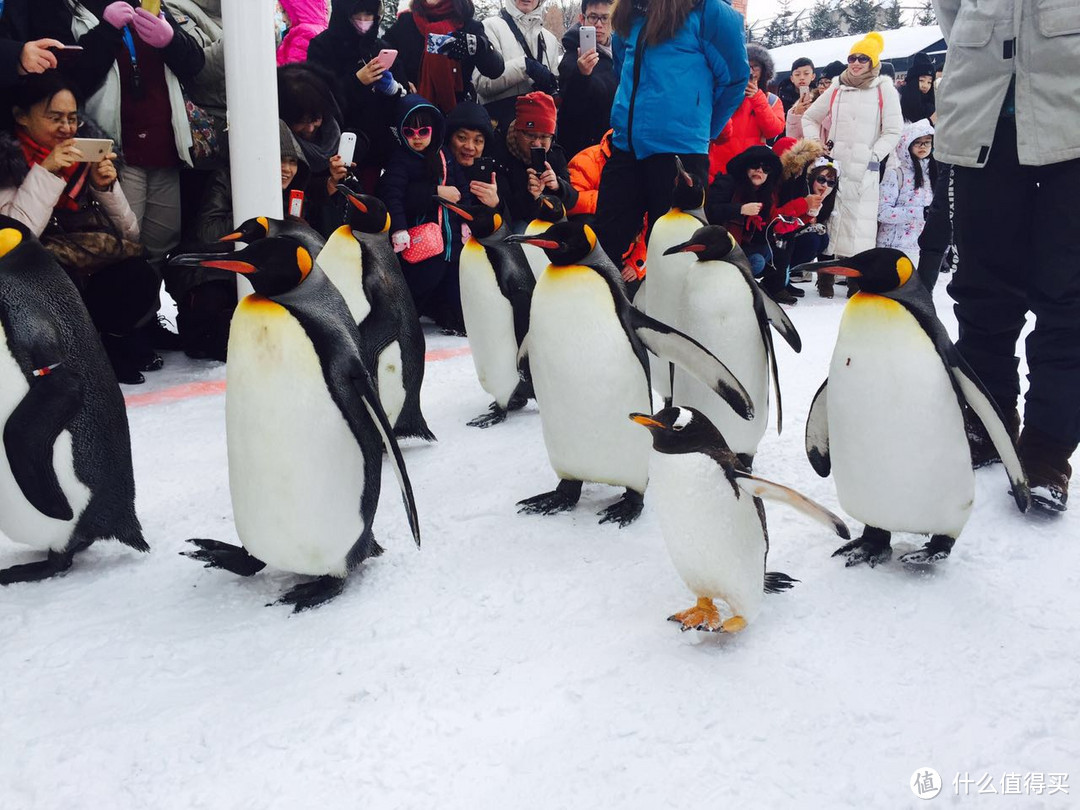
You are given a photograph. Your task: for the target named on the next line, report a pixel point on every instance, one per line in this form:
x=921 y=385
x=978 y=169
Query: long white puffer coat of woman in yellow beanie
x=865 y=127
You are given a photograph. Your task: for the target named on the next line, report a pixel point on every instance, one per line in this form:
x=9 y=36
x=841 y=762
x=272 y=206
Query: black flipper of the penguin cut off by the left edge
x=52 y=402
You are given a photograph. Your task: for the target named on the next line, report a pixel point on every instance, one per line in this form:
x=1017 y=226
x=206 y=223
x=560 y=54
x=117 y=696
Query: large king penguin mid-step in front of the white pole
x=305 y=428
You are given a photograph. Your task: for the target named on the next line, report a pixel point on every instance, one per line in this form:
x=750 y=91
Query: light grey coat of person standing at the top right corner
x=990 y=42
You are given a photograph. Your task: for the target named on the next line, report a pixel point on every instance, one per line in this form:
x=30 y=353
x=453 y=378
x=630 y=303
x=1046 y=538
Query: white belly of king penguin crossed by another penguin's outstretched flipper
x=719 y=313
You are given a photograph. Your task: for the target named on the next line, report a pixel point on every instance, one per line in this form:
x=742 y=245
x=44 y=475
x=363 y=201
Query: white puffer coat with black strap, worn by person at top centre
x=515 y=82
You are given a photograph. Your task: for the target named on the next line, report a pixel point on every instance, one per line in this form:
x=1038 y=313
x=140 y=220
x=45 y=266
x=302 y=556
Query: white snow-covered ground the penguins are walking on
x=521 y=661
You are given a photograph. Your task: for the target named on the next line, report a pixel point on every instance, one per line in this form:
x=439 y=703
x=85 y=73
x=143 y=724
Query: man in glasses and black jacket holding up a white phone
x=588 y=80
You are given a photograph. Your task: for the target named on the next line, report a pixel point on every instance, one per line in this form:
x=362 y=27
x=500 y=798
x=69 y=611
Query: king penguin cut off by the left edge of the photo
x=66 y=472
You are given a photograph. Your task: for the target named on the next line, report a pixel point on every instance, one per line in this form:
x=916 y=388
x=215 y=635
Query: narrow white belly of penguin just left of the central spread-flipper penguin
x=490 y=322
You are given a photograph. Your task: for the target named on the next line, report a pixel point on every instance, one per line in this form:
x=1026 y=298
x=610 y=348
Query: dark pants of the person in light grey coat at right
x=1018 y=233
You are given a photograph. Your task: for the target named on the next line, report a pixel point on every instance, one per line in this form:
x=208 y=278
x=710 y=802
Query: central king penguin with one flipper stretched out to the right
x=587 y=348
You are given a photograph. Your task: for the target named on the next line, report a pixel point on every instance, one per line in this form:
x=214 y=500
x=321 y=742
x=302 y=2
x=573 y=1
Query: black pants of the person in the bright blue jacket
x=631 y=188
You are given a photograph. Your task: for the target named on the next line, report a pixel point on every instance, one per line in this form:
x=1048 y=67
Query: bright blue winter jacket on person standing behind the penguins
x=676 y=97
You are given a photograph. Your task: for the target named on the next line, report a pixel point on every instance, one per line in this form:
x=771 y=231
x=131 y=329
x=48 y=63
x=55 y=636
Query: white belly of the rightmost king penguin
x=897 y=439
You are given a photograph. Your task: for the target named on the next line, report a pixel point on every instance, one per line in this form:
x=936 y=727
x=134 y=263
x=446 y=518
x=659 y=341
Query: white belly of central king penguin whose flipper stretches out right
x=588 y=381
